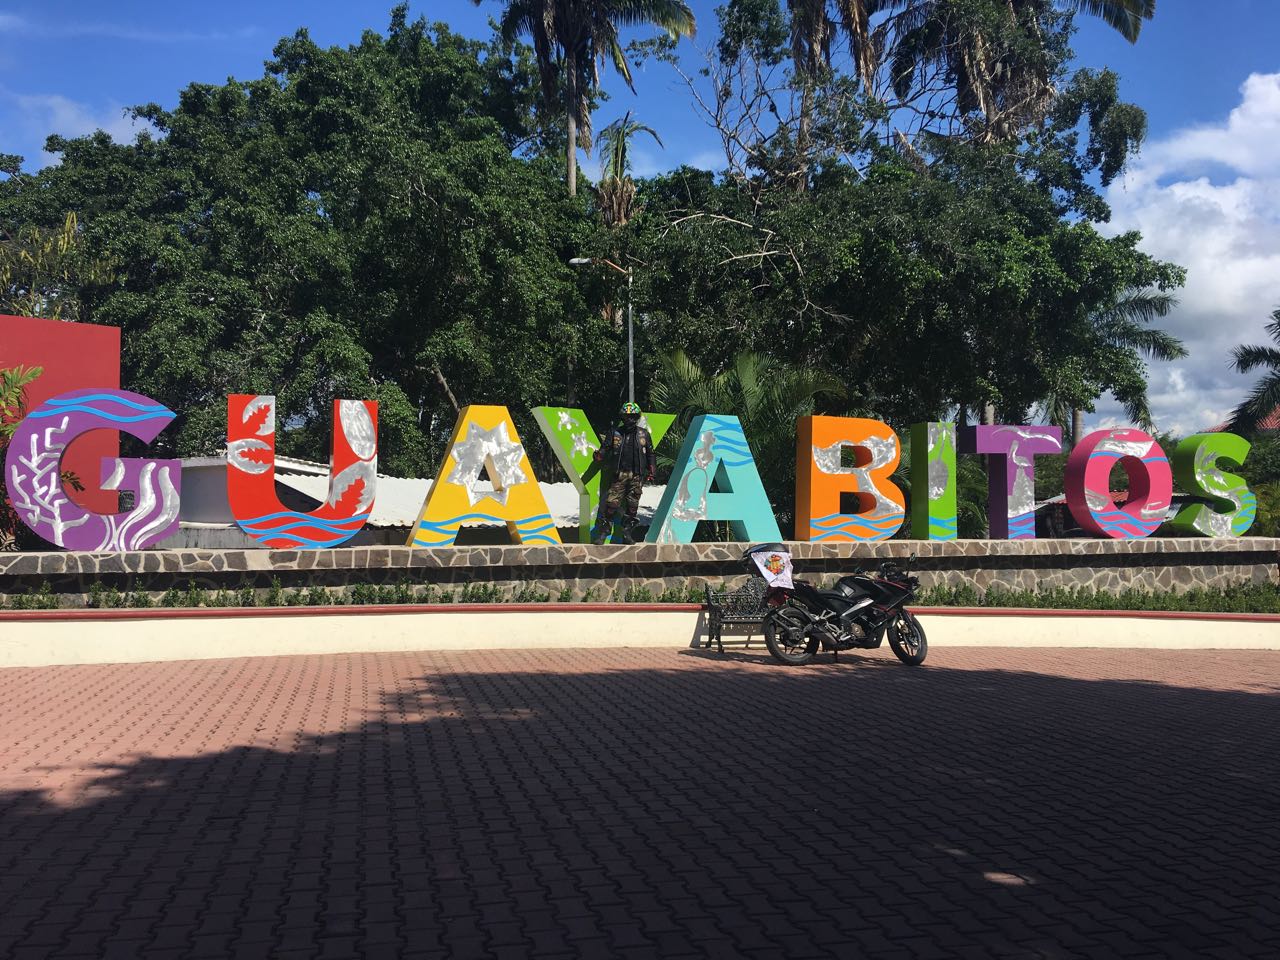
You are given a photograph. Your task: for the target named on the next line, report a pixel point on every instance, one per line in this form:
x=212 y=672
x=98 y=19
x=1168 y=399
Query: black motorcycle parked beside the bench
x=856 y=615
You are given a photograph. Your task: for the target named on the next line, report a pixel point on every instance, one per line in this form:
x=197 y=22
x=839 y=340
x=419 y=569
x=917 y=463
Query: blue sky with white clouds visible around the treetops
x=1206 y=191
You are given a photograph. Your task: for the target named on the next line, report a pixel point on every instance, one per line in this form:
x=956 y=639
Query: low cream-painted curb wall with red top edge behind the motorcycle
x=58 y=638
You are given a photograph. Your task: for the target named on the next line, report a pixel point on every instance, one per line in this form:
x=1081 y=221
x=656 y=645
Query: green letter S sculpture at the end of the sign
x=1233 y=506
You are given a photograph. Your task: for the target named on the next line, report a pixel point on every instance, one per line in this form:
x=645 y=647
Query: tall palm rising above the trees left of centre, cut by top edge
x=573 y=39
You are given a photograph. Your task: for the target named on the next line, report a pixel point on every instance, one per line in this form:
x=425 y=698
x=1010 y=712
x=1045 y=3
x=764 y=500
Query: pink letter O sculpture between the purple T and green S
x=1089 y=490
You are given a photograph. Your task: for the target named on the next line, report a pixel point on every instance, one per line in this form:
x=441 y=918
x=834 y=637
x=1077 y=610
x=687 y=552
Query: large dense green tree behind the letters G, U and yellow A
x=342 y=226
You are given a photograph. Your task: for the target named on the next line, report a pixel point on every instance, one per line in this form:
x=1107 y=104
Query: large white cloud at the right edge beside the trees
x=1209 y=198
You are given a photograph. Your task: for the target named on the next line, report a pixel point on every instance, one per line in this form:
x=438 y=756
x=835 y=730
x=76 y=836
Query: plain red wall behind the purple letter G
x=75 y=356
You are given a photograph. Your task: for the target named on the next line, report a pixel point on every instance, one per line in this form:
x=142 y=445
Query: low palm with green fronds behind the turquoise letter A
x=767 y=395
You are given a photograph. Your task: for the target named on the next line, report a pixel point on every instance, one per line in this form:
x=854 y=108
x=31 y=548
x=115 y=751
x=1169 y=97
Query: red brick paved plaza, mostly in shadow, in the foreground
x=644 y=803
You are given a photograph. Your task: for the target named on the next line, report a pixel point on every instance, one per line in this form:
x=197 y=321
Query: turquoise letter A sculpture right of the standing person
x=715 y=454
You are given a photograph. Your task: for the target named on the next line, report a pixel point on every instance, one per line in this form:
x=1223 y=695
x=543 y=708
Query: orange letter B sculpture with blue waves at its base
x=822 y=478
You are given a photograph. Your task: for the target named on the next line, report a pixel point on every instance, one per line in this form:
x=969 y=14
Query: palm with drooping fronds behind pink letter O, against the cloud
x=1123 y=324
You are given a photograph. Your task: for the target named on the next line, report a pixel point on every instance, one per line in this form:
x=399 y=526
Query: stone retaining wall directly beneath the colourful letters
x=609 y=573
